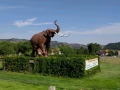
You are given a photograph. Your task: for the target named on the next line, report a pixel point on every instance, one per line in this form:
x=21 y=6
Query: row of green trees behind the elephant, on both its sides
x=15 y=48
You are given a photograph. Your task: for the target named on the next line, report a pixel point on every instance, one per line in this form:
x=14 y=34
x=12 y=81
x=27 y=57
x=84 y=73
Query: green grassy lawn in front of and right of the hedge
x=107 y=79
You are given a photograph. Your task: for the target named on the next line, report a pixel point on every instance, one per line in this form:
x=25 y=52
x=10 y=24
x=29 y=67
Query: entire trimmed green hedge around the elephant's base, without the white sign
x=55 y=66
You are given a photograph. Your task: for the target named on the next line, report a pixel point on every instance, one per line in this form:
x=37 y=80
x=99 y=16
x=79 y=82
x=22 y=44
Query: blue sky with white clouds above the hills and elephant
x=90 y=21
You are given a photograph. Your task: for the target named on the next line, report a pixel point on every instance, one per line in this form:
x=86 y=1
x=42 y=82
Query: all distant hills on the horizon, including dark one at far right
x=112 y=46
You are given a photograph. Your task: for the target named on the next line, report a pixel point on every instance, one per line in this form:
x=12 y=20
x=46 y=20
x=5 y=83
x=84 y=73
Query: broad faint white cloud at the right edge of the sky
x=112 y=28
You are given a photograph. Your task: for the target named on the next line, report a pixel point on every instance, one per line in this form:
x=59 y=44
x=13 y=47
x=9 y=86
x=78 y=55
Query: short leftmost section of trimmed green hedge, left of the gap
x=17 y=64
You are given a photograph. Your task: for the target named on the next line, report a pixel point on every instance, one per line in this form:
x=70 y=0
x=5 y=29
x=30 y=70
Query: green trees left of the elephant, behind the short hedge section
x=13 y=48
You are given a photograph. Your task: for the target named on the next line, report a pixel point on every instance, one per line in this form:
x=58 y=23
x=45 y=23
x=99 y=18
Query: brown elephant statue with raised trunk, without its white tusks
x=42 y=41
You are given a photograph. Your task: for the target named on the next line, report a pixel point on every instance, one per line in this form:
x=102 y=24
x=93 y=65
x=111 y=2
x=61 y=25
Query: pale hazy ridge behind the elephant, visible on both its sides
x=52 y=44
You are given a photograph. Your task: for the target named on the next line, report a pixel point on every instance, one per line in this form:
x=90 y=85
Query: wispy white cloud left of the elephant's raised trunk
x=21 y=23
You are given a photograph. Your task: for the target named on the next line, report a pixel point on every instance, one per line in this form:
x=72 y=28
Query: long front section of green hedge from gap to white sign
x=70 y=67
